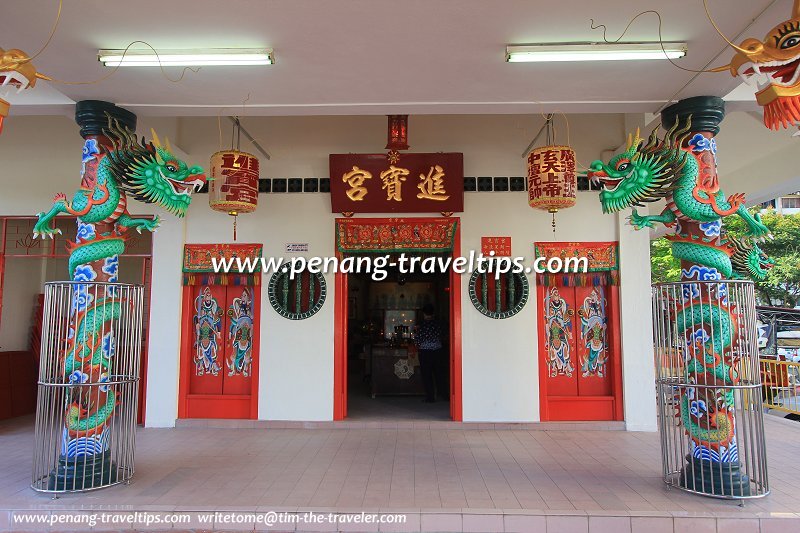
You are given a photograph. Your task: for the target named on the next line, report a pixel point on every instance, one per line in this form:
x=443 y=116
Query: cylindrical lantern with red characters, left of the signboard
x=233 y=187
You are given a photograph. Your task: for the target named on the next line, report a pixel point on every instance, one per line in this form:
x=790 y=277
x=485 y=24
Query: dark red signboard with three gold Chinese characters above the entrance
x=417 y=183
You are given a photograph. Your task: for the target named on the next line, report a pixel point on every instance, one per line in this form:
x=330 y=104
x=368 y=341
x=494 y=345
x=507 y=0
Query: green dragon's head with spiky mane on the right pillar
x=644 y=172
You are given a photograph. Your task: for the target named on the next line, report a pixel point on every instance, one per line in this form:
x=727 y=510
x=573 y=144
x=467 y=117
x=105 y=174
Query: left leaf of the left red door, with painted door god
x=208 y=346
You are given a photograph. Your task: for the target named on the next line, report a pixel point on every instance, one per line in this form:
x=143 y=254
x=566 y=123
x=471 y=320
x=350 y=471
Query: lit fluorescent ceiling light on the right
x=593 y=52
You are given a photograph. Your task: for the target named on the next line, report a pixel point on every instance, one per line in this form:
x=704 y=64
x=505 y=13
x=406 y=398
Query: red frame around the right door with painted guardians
x=615 y=362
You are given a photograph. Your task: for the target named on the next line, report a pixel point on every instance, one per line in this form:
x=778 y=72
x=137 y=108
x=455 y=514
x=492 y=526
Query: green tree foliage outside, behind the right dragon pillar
x=782 y=286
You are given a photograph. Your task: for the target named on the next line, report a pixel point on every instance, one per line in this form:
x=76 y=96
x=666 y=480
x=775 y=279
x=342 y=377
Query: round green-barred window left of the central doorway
x=298 y=298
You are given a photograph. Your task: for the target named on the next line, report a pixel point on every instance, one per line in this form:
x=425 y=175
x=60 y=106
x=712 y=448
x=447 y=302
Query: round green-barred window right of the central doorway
x=498 y=297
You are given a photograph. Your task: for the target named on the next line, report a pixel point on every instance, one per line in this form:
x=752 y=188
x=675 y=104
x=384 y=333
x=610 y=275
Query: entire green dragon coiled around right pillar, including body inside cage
x=681 y=170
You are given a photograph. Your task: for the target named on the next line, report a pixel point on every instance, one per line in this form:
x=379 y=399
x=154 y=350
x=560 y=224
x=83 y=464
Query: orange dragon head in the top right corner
x=773 y=66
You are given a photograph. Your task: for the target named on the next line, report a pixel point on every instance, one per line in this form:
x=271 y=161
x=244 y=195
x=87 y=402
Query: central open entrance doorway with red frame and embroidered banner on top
x=381 y=329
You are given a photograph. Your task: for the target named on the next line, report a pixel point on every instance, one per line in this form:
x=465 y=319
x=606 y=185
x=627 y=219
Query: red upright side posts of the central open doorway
x=340 y=340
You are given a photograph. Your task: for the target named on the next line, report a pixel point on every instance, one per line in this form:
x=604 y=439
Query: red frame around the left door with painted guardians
x=218 y=404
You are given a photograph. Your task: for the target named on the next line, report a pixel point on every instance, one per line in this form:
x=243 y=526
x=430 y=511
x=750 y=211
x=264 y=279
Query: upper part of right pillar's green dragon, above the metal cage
x=656 y=170
